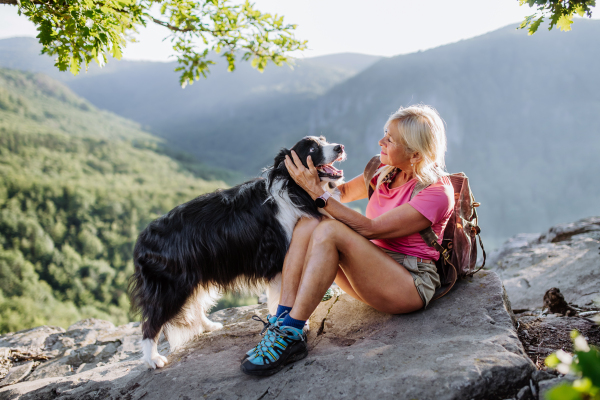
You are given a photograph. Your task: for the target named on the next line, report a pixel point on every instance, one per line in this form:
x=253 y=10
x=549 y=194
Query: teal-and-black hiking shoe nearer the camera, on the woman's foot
x=284 y=346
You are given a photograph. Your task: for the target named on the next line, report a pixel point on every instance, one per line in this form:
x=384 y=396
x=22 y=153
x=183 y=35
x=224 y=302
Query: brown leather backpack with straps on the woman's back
x=458 y=249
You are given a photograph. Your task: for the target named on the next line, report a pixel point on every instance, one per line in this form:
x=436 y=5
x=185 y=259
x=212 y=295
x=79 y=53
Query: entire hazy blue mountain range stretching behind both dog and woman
x=521 y=114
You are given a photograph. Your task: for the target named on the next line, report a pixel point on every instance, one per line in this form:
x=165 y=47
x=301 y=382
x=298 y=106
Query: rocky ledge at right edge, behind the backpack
x=552 y=280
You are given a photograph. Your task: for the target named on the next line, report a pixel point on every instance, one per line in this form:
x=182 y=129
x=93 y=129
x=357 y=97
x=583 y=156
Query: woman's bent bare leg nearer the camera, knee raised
x=374 y=276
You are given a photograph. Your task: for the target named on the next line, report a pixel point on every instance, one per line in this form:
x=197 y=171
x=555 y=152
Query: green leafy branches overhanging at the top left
x=81 y=31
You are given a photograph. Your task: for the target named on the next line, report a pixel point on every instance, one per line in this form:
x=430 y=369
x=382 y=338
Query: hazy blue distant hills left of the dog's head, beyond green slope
x=195 y=119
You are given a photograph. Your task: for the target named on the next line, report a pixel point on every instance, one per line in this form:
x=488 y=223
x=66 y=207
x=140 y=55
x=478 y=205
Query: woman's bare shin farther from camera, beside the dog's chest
x=294 y=260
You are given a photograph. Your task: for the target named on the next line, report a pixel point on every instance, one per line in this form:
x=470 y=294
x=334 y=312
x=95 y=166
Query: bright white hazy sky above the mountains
x=379 y=27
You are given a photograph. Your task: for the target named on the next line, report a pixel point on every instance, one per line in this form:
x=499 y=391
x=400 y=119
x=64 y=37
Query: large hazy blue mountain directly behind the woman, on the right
x=521 y=114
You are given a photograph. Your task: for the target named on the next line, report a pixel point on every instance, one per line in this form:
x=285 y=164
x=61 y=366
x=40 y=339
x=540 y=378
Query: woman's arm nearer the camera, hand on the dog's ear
x=401 y=221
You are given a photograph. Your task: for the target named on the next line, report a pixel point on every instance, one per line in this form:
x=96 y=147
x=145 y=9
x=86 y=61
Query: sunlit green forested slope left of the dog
x=76 y=186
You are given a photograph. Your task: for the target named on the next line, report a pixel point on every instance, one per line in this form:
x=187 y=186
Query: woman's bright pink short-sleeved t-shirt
x=435 y=203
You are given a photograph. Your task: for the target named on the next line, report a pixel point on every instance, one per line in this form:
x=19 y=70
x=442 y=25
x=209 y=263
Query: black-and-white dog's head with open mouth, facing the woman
x=322 y=153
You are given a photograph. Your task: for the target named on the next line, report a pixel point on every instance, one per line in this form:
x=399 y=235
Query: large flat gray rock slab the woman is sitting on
x=463 y=347
